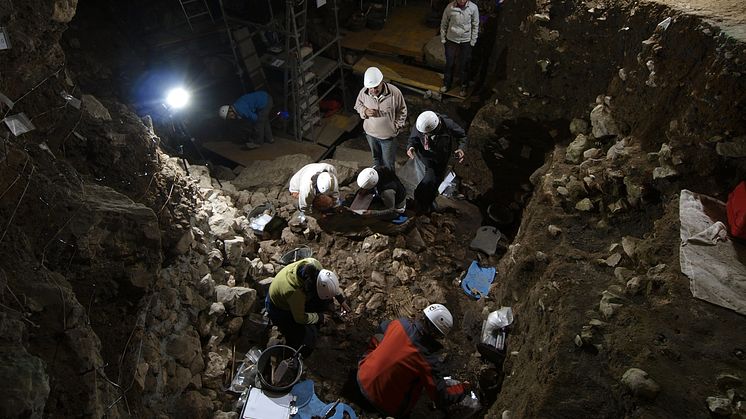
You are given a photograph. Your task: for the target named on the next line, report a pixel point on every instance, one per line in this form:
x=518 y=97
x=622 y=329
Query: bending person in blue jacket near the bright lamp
x=255 y=108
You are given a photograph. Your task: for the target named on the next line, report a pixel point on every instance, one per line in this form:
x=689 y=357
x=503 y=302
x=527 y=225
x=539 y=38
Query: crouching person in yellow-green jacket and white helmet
x=299 y=300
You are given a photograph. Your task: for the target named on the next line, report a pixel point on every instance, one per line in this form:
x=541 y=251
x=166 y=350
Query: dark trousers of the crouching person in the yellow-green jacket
x=296 y=334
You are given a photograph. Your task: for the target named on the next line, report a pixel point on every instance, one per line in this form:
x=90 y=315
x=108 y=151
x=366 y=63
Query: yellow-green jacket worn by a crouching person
x=286 y=292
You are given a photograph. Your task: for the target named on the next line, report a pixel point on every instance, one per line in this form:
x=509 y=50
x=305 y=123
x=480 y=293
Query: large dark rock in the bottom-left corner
x=24 y=388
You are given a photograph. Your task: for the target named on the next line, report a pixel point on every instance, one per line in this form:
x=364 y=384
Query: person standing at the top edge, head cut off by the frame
x=459 y=29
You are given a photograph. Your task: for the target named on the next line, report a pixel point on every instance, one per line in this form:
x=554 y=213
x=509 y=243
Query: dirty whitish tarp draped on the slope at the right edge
x=711 y=260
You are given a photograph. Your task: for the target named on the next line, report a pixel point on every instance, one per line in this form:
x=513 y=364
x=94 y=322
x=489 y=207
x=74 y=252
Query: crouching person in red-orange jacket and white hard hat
x=404 y=361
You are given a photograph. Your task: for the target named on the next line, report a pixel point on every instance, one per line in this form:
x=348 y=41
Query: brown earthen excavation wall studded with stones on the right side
x=677 y=92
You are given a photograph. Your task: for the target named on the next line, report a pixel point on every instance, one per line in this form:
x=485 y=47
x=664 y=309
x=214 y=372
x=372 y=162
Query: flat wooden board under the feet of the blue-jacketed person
x=281 y=147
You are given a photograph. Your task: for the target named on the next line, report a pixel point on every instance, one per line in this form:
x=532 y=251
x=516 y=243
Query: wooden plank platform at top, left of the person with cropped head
x=404 y=34
